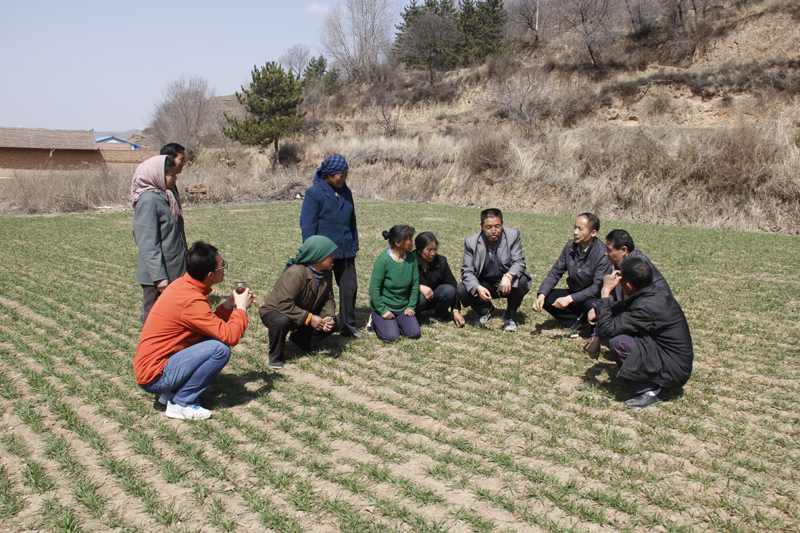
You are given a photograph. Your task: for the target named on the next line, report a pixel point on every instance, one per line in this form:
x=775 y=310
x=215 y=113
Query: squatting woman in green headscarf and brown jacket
x=302 y=300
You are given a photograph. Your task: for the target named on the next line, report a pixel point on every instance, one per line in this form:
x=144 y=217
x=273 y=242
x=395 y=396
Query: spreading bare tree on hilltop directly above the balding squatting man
x=590 y=21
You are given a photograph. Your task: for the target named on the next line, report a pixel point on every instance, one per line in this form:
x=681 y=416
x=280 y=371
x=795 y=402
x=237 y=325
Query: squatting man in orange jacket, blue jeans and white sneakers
x=184 y=345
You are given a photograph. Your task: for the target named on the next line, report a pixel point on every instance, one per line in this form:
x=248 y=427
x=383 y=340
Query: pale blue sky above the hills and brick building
x=103 y=65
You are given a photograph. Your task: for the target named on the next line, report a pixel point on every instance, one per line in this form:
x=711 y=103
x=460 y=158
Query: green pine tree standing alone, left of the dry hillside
x=271 y=100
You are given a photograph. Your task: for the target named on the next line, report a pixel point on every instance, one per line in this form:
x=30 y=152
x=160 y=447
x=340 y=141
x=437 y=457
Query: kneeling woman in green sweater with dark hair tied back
x=394 y=286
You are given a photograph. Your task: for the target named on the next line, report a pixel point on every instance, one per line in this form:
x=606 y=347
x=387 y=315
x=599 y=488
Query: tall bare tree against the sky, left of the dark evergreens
x=358 y=34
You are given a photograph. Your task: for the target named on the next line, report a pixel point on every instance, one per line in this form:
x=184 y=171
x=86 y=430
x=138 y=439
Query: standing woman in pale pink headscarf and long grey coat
x=157 y=228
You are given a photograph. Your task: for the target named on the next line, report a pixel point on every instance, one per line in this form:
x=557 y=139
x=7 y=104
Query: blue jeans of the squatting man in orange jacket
x=188 y=373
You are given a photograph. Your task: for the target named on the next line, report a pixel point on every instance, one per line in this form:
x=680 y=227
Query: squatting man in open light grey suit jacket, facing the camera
x=494 y=267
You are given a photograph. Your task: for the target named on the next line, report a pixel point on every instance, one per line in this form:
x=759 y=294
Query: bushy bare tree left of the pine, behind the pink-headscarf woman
x=184 y=113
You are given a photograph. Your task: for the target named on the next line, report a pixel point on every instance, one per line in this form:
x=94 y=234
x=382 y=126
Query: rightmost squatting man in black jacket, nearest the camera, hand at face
x=650 y=338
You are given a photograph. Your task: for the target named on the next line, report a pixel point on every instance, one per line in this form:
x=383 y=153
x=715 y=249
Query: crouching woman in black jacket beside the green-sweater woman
x=437 y=286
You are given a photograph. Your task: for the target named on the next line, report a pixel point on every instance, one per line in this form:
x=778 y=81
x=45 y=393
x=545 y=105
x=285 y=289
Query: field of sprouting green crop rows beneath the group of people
x=463 y=430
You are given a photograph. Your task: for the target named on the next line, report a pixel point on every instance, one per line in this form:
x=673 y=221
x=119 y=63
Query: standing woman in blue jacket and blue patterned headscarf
x=328 y=210
